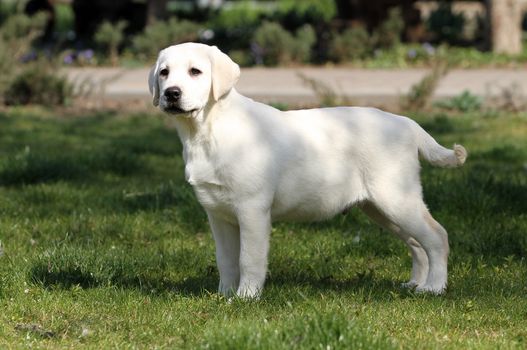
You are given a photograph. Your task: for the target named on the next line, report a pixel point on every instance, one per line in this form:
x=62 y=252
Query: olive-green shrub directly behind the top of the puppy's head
x=162 y=34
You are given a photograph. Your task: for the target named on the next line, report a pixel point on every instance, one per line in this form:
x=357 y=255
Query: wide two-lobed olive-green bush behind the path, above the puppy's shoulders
x=278 y=46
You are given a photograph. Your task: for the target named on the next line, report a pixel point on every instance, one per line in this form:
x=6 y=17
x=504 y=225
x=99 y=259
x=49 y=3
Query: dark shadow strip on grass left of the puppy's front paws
x=150 y=273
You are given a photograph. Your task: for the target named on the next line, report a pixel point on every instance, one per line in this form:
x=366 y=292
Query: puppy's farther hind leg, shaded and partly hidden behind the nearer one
x=419 y=257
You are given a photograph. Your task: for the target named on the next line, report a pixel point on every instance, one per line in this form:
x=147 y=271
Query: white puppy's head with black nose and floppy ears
x=186 y=77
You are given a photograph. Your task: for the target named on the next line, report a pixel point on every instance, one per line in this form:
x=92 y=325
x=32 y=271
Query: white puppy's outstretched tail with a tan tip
x=436 y=154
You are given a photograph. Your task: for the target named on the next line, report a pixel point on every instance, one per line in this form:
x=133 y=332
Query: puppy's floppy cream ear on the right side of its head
x=225 y=73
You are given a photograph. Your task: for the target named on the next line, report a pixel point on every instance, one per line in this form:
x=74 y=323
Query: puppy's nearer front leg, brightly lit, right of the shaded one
x=255 y=229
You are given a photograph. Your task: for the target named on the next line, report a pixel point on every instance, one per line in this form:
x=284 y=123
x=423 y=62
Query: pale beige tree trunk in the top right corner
x=506 y=25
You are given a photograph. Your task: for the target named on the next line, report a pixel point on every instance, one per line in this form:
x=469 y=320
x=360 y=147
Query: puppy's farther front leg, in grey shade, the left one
x=227 y=239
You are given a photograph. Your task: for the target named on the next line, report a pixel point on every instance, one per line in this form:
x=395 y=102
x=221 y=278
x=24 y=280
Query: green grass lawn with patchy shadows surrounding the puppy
x=104 y=245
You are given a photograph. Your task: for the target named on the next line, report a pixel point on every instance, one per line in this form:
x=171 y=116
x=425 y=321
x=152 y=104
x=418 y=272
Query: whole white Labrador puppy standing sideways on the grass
x=251 y=164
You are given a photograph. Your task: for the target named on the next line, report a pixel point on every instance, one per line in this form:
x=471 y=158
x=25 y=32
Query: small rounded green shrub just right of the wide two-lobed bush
x=352 y=44
